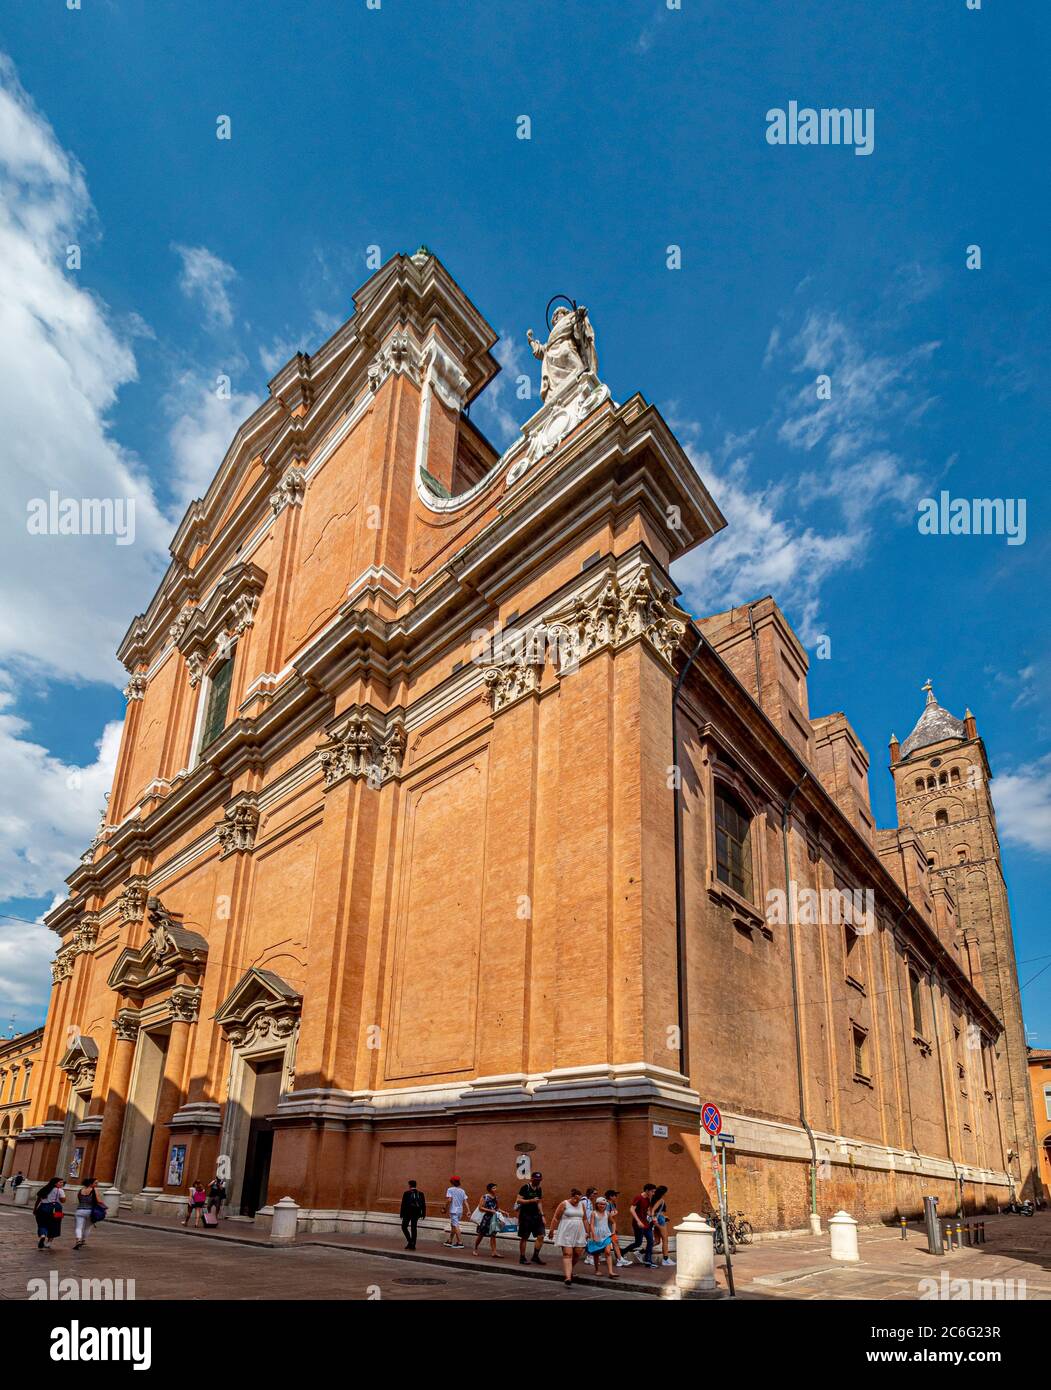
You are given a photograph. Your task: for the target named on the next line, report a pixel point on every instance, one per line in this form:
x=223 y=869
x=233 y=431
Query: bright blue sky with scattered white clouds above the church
x=355 y=127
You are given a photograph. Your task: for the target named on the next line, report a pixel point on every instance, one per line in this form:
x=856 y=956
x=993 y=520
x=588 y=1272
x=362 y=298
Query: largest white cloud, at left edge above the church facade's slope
x=62 y=366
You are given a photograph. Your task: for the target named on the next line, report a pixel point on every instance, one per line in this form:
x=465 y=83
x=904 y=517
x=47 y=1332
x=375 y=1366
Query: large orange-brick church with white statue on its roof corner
x=443 y=840
